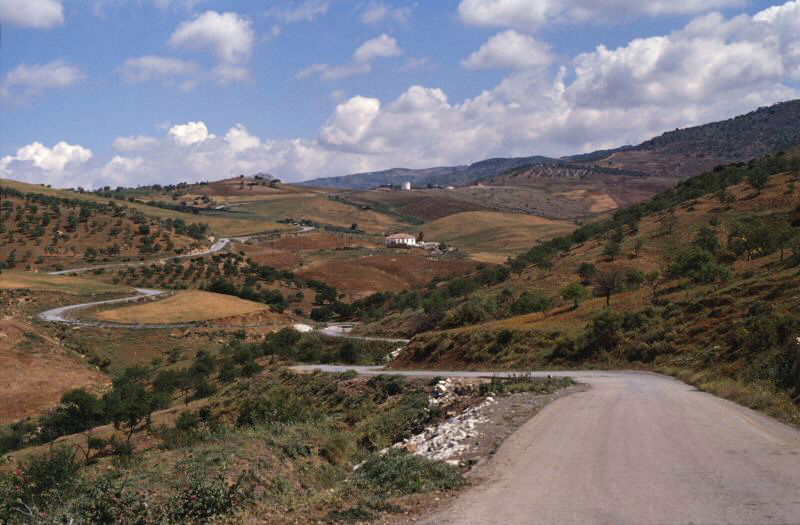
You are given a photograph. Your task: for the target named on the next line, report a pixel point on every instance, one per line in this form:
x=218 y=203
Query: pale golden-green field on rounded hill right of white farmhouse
x=493 y=236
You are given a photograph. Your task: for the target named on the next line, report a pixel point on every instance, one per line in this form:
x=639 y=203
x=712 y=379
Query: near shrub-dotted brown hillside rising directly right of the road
x=701 y=282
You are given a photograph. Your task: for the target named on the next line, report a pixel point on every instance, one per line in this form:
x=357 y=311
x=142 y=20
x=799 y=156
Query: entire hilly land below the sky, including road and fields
x=274 y=345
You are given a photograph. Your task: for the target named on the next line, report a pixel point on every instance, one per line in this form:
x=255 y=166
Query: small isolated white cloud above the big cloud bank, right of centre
x=510 y=50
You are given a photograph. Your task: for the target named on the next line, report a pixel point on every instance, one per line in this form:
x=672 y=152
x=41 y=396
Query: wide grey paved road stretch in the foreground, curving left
x=636 y=448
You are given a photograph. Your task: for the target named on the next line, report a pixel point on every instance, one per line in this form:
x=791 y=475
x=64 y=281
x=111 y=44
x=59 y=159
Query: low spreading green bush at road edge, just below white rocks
x=398 y=473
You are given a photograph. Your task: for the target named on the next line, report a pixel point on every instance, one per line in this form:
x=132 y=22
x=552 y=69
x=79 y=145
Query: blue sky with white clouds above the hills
x=141 y=91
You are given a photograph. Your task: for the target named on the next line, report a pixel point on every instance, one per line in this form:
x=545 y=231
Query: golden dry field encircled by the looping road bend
x=183 y=307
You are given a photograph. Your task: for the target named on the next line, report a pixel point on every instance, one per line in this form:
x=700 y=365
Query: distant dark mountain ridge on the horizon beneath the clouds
x=675 y=154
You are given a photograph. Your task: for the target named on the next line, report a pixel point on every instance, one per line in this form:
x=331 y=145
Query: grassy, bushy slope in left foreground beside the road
x=277 y=445
